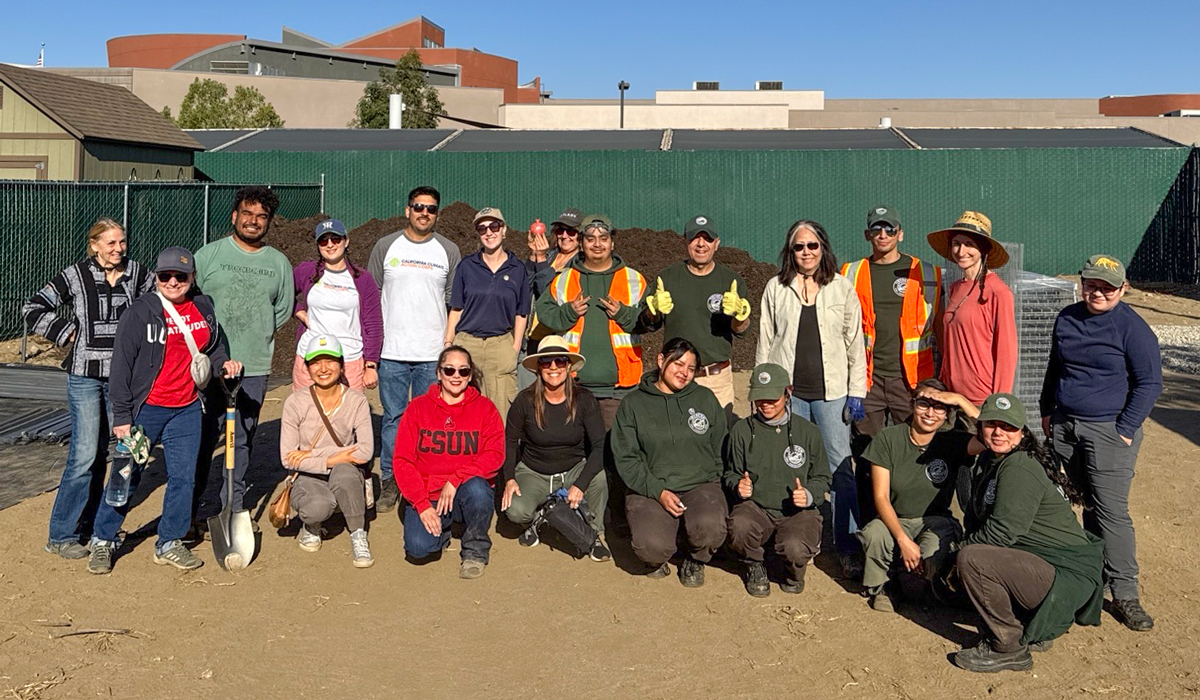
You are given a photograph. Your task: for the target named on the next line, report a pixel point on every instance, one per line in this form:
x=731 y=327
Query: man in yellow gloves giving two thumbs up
x=703 y=302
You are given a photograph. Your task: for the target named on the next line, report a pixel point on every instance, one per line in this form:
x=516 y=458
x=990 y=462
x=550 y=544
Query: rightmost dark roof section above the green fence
x=1067 y=137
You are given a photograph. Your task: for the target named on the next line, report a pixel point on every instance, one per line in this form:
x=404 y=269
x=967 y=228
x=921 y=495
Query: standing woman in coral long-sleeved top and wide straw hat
x=980 y=324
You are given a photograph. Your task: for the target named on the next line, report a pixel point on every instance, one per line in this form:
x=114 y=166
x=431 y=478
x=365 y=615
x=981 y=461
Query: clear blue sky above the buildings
x=849 y=50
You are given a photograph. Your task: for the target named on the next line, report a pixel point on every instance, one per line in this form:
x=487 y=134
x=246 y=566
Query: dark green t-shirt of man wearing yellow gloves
x=698 y=315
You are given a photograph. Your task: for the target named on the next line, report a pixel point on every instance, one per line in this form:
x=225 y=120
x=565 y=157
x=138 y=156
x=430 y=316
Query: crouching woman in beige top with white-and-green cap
x=326 y=435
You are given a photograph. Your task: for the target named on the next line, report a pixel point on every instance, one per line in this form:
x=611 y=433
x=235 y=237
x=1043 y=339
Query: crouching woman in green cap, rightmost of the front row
x=1028 y=566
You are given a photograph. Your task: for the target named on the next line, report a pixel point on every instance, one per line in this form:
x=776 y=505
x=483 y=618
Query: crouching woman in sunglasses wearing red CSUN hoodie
x=449 y=448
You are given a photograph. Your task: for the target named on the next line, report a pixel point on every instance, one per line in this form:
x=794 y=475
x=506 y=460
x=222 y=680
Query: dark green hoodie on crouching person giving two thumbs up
x=776 y=457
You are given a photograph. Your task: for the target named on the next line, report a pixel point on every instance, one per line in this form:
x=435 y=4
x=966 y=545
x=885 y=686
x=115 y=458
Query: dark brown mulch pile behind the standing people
x=647 y=252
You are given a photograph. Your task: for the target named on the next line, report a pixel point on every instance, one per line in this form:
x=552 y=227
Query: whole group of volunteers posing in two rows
x=523 y=385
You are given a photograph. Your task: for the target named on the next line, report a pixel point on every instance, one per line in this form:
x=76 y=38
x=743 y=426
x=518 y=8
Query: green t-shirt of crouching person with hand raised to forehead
x=922 y=478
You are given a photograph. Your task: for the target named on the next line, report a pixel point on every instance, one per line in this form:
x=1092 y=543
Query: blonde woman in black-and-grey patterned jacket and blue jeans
x=98 y=290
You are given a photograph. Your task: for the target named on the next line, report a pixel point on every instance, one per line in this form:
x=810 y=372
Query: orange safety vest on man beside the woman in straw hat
x=922 y=300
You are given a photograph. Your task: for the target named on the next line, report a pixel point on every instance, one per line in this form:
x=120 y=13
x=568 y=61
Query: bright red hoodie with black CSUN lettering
x=437 y=442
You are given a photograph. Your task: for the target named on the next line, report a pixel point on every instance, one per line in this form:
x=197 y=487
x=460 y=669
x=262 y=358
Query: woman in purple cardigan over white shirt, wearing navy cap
x=341 y=300
